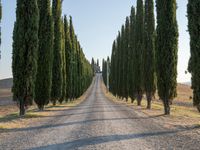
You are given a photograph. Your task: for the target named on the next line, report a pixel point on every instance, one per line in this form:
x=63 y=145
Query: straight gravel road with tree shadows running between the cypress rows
x=100 y=124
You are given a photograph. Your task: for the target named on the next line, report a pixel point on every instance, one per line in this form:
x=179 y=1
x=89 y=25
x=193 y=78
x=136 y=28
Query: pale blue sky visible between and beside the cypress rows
x=96 y=23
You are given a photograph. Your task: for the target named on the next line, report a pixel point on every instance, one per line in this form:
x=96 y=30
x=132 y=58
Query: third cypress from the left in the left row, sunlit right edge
x=57 y=79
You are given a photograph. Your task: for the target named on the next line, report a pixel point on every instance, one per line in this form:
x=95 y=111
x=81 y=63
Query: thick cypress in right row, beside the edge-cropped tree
x=166 y=51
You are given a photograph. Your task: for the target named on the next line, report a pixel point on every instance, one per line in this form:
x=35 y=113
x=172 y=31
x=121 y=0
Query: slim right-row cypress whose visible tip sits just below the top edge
x=132 y=53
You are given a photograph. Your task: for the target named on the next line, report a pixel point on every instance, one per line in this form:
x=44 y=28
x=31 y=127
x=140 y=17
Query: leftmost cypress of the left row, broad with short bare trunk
x=25 y=47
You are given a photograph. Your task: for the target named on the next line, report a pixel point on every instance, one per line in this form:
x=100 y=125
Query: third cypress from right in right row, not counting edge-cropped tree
x=138 y=63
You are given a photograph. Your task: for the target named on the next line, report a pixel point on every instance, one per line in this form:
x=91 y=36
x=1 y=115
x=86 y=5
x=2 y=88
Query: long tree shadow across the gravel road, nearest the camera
x=81 y=143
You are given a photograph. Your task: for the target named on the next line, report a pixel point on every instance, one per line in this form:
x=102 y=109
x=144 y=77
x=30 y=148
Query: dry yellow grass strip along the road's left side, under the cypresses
x=9 y=118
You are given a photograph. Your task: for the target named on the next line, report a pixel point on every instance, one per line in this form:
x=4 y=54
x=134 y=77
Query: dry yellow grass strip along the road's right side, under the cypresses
x=180 y=115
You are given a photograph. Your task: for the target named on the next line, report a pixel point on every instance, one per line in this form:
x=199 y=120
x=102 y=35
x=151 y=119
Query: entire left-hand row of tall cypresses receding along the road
x=48 y=61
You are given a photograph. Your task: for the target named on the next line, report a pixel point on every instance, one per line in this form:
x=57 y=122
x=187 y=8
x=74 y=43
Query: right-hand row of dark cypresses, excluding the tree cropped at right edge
x=143 y=56
